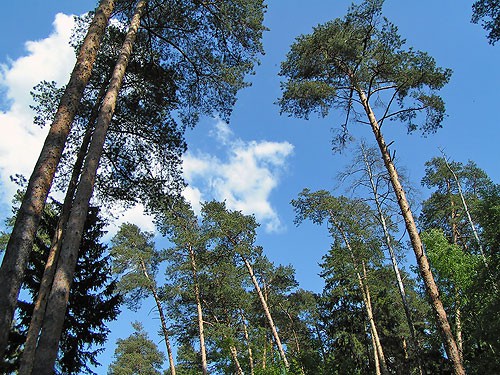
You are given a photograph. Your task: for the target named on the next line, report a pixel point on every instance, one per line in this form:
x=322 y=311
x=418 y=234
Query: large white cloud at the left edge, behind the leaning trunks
x=48 y=59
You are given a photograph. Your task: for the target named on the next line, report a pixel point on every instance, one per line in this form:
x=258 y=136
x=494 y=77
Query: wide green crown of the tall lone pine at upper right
x=362 y=54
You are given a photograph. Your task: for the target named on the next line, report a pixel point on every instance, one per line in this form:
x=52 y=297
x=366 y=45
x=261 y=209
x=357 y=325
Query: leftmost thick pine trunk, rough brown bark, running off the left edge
x=21 y=240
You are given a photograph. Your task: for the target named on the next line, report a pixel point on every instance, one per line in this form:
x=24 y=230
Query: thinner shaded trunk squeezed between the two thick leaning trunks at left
x=27 y=357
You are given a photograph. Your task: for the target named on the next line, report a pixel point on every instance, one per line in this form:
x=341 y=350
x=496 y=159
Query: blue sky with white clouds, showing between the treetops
x=261 y=160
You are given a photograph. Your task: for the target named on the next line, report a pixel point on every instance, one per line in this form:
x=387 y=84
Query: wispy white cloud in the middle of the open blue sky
x=245 y=179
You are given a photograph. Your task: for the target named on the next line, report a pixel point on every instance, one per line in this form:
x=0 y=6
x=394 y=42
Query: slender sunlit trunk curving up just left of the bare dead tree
x=365 y=292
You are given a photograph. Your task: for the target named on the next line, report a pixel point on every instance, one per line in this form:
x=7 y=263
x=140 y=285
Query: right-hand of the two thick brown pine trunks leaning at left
x=46 y=352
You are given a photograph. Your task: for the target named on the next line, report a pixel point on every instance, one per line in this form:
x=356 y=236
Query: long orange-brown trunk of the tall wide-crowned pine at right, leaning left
x=422 y=261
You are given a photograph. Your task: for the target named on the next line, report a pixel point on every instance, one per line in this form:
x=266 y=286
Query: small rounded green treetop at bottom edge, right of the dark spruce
x=136 y=354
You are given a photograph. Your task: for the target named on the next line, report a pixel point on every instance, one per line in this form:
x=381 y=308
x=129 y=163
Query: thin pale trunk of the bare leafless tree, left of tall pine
x=395 y=267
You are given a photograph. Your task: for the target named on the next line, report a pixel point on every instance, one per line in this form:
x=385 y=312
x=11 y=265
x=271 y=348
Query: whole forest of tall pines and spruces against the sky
x=409 y=284
